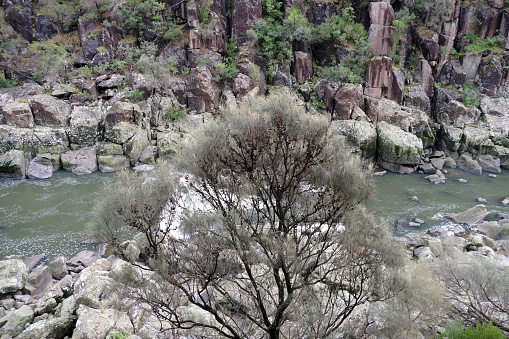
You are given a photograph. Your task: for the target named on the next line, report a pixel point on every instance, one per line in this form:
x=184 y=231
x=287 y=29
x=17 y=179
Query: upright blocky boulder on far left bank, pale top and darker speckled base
x=84 y=125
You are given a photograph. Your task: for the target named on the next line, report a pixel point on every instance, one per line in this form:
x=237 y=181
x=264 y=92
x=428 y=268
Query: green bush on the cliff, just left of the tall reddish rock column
x=344 y=33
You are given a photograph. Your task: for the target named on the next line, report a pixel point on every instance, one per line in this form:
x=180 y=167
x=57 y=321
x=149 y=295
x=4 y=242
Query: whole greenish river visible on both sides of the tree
x=49 y=216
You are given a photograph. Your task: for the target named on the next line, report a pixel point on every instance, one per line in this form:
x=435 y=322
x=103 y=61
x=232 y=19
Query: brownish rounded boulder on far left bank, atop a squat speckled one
x=50 y=111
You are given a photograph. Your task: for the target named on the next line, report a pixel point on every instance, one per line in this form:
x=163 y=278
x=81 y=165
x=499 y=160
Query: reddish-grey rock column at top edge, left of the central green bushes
x=244 y=14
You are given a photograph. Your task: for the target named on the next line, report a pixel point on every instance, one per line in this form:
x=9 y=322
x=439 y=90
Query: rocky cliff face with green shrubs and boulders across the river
x=133 y=75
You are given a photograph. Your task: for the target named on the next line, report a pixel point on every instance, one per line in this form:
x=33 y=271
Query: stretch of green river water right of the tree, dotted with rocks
x=392 y=198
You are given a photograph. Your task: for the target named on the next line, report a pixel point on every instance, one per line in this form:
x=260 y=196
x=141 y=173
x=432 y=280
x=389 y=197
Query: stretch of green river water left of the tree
x=47 y=216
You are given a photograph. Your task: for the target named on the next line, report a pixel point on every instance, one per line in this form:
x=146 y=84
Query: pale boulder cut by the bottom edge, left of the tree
x=93 y=323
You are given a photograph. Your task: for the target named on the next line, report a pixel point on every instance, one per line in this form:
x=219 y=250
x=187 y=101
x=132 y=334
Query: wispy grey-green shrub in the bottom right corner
x=476 y=290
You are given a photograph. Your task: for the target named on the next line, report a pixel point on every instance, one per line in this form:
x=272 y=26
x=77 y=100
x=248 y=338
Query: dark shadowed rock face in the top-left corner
x=18 y=13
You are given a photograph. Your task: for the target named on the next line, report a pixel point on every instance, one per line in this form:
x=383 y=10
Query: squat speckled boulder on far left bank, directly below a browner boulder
x=49 y=140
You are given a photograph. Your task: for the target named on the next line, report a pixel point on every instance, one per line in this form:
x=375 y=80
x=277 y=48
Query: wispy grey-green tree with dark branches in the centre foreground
x=275 y=242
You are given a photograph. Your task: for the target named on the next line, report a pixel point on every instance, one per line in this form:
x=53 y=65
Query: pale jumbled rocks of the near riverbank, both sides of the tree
x=82 y=297
